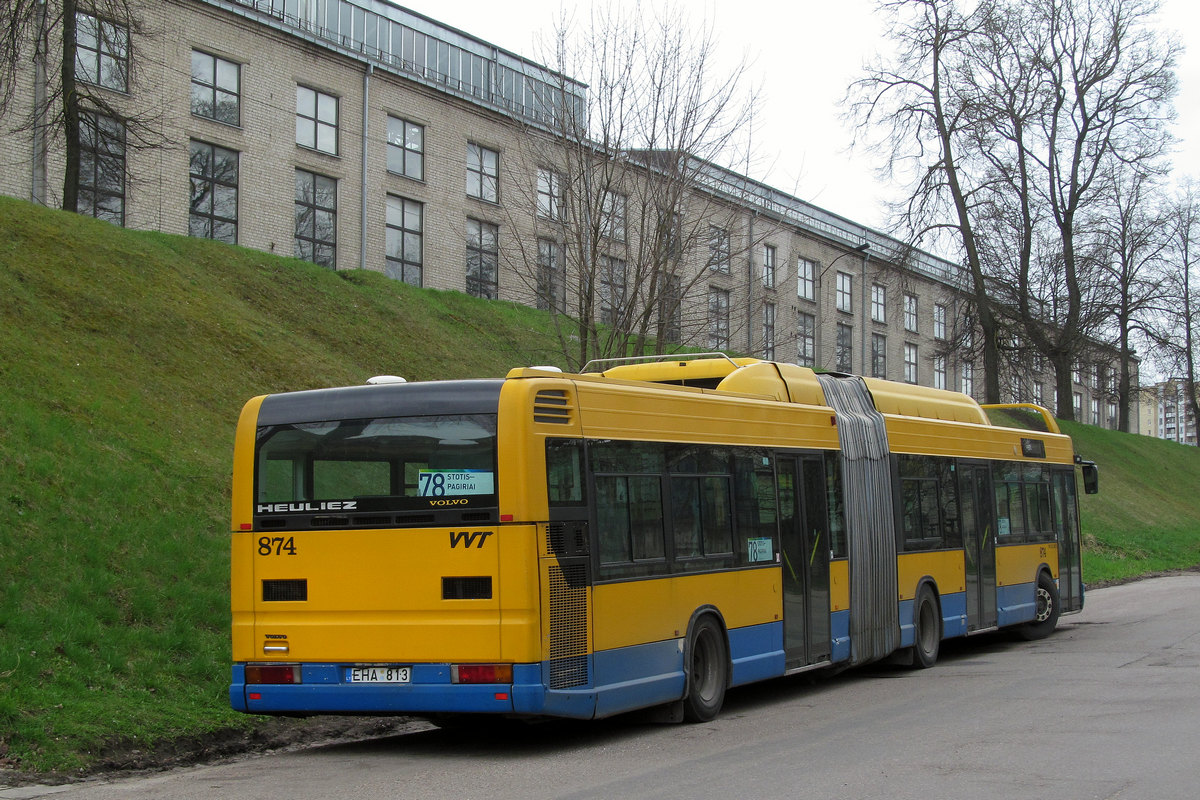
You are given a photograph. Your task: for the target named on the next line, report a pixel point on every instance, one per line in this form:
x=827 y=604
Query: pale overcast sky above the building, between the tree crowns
x=803 y=55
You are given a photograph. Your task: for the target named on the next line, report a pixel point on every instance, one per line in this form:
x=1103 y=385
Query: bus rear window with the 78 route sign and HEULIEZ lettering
x=376 y=465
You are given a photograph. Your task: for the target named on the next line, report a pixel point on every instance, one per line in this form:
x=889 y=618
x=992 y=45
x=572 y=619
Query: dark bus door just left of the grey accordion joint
x=805 y=548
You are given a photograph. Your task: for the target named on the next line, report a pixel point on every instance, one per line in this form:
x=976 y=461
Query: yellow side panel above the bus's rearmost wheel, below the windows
x=637 y=612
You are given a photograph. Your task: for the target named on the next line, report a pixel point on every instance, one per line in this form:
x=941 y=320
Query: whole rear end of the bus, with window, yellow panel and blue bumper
x=369 y=551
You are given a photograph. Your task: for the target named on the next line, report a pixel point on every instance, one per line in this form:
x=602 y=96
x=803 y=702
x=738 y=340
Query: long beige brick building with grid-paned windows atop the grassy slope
x=359 y=135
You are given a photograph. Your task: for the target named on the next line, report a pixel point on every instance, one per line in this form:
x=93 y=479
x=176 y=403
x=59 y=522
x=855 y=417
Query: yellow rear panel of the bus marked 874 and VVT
x=389 y=607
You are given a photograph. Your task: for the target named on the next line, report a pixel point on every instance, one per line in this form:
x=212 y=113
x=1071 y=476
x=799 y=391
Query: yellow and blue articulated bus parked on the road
x=649 y=534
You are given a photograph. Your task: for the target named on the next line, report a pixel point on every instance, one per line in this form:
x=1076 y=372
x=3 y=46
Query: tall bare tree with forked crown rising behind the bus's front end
x=1111 y=82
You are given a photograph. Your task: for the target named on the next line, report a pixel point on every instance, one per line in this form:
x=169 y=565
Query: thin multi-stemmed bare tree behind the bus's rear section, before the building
x=627 y=194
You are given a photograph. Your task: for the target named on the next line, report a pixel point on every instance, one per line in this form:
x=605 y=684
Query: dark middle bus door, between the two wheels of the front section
x=980 y=544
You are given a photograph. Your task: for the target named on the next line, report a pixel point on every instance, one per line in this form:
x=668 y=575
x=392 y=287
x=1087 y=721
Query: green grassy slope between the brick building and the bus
x=124 y=362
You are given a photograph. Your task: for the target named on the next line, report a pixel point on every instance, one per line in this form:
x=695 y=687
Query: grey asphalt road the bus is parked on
x=1108 y=707
